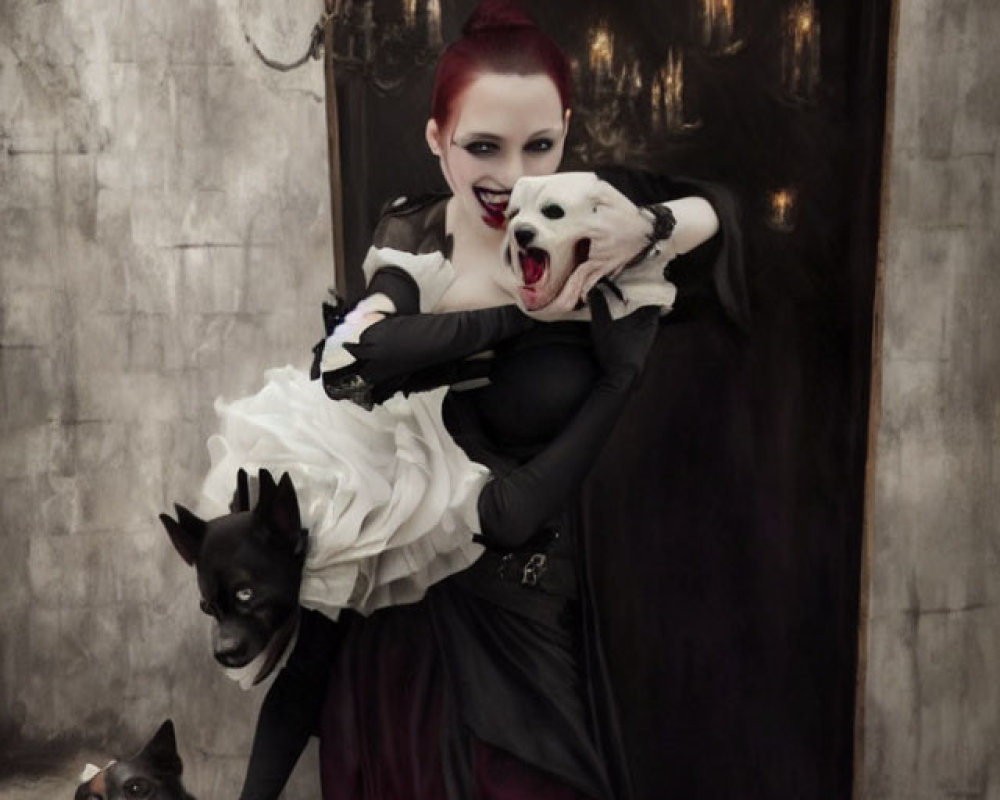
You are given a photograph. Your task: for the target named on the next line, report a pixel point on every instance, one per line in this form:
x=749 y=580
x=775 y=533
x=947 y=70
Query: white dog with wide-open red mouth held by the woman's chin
x=547 y=239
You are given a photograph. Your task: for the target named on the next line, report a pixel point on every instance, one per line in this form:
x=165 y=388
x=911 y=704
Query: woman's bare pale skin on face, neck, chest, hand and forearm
x=503 y=127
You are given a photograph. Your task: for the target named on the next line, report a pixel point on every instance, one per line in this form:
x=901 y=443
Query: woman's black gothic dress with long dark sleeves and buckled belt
x=492 y=686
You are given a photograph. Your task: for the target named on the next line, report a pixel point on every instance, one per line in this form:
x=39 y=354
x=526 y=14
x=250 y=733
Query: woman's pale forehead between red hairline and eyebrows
x=508 y=105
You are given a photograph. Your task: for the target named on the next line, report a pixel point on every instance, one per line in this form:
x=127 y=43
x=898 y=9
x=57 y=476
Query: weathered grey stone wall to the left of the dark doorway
x=164 y=237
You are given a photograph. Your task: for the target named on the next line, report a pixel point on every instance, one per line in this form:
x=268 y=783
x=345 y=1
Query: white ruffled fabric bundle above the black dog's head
x=389 y=499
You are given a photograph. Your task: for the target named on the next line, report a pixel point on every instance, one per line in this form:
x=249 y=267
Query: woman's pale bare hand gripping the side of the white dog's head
x=618 y=230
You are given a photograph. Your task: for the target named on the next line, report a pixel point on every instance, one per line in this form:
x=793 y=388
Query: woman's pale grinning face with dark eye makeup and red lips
x=501 y=127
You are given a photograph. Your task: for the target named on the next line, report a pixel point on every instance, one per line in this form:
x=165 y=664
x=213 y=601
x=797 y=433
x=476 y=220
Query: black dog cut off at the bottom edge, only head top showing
x=154 y=773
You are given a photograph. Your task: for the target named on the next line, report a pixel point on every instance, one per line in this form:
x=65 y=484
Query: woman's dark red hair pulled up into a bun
x=498 y=37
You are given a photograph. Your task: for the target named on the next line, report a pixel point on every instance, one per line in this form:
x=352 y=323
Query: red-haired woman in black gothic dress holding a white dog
x=489 y=687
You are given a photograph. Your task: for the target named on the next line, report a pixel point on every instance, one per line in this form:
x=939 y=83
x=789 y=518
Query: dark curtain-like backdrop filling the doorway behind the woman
x=724 y=520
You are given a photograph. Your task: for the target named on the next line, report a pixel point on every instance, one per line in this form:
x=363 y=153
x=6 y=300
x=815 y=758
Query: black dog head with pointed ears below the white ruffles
x=249 y=566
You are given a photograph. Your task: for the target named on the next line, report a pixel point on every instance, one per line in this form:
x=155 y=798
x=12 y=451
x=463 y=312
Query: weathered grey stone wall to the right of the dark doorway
x=931 y=724
